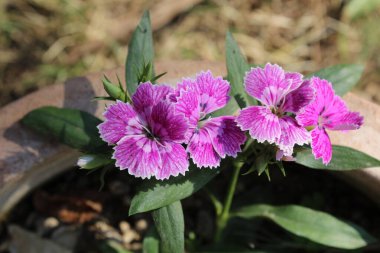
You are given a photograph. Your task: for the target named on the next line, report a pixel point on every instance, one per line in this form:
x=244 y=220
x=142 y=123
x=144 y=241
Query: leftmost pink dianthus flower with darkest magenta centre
x=147 y=134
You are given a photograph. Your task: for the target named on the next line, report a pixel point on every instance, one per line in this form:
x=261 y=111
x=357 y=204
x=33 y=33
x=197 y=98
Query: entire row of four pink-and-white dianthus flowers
x=163 y=127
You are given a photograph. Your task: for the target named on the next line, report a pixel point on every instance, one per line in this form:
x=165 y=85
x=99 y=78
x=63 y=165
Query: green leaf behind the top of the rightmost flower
x=343 y=77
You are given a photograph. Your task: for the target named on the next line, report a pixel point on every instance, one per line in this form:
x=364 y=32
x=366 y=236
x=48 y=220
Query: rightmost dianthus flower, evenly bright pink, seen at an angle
x=327 y=111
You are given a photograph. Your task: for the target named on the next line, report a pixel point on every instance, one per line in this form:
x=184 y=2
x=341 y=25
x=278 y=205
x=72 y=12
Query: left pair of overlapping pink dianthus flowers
x=150 y=134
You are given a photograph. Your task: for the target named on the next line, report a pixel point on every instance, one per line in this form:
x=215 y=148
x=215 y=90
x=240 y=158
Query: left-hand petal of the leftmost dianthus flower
x=120 y=120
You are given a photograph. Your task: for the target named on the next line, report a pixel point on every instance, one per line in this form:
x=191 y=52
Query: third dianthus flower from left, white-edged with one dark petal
x=281 y=94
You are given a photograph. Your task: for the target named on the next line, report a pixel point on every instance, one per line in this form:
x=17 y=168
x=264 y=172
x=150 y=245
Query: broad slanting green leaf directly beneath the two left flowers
x=153 y=194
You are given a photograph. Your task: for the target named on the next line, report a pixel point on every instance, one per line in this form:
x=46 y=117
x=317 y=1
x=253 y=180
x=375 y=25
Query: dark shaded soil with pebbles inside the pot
x=72 y=212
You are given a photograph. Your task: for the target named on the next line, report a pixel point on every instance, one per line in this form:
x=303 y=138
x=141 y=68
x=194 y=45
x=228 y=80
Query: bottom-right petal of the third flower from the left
x=291 y=134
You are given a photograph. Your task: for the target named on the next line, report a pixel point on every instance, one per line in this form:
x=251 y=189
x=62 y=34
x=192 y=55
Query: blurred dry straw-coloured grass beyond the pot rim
x=47 y=41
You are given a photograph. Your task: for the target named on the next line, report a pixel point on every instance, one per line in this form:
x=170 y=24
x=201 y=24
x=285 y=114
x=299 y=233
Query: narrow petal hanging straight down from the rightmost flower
x=321 y=145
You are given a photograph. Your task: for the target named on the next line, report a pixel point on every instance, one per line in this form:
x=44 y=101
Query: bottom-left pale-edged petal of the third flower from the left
x=262 y=124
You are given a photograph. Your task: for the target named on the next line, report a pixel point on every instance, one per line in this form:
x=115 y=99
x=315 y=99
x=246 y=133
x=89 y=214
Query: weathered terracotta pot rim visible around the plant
x=27 y=160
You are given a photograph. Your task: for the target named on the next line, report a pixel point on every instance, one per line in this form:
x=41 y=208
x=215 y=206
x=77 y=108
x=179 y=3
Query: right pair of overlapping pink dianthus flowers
x=289 y=107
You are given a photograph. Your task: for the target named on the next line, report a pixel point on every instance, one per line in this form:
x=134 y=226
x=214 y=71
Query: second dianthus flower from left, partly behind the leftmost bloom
x=209 y=139
